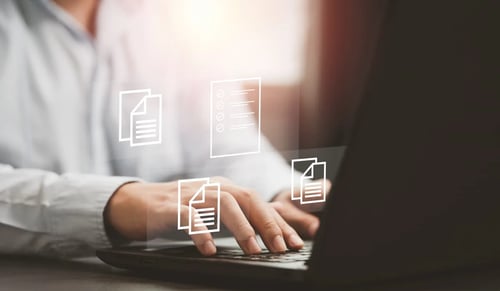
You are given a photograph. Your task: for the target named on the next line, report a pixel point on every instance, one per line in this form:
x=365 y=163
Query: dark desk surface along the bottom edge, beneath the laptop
x=23 y=273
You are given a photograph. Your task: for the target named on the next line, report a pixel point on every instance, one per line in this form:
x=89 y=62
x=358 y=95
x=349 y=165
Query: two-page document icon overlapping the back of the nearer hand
x=204 y=217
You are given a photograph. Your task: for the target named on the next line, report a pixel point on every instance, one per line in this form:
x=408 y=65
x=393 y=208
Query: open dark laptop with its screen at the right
x=418 y=189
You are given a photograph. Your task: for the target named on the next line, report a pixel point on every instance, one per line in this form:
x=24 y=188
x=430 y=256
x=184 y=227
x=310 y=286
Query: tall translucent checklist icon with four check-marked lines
x=234 y=115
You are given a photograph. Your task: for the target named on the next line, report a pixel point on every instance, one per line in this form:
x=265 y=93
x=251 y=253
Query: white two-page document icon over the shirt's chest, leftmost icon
x=140 y=115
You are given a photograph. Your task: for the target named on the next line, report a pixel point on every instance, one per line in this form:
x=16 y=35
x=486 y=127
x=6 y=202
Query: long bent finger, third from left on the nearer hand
x=260 y=216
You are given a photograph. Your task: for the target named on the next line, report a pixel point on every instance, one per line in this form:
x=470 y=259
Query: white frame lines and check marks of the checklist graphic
x=219 y=116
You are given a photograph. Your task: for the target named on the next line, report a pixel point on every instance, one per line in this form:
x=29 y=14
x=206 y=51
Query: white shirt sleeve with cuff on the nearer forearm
x=68 y=208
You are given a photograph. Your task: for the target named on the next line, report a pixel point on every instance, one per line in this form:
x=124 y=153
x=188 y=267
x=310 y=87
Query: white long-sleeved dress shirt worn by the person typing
x=60 y=159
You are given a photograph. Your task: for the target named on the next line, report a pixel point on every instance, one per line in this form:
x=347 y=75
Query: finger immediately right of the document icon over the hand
x=235 y=220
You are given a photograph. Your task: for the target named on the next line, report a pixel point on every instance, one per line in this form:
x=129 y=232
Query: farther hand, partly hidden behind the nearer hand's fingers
x=297 y=215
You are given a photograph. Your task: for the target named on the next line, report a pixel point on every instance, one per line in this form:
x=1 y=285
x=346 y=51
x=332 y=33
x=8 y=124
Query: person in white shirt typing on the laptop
x=67 y=186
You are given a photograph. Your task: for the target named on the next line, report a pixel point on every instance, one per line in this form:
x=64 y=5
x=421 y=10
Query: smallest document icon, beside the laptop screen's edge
x=312 y=181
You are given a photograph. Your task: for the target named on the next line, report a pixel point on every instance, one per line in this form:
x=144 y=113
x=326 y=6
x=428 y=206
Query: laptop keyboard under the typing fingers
x=237 y=254
